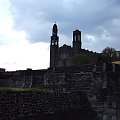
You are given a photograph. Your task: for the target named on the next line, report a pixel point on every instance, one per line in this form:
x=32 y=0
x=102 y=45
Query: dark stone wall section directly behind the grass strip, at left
x=22 y=78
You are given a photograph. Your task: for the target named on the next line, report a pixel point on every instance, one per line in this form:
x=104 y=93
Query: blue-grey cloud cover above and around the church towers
x=96 y=18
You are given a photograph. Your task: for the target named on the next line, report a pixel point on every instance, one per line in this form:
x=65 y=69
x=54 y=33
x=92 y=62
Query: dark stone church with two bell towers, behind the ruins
x=63 y=56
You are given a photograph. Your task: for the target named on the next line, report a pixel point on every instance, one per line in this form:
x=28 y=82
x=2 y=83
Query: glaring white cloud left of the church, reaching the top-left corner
x=15 y=50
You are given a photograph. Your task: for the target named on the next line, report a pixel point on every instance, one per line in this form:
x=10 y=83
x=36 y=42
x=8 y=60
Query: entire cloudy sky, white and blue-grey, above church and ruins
x=26 y=27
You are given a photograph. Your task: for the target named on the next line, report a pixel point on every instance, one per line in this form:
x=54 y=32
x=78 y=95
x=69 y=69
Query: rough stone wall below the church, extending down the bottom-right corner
x=101 y=88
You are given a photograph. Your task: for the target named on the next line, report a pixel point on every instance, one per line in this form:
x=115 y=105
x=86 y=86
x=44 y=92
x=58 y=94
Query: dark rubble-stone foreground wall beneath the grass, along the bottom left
x=45 y=106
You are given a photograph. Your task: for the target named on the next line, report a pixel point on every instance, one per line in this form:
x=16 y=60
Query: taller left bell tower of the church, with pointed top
x=54 y=45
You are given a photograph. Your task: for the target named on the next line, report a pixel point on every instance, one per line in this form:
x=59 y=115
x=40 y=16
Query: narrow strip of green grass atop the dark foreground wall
x=8 y=89
